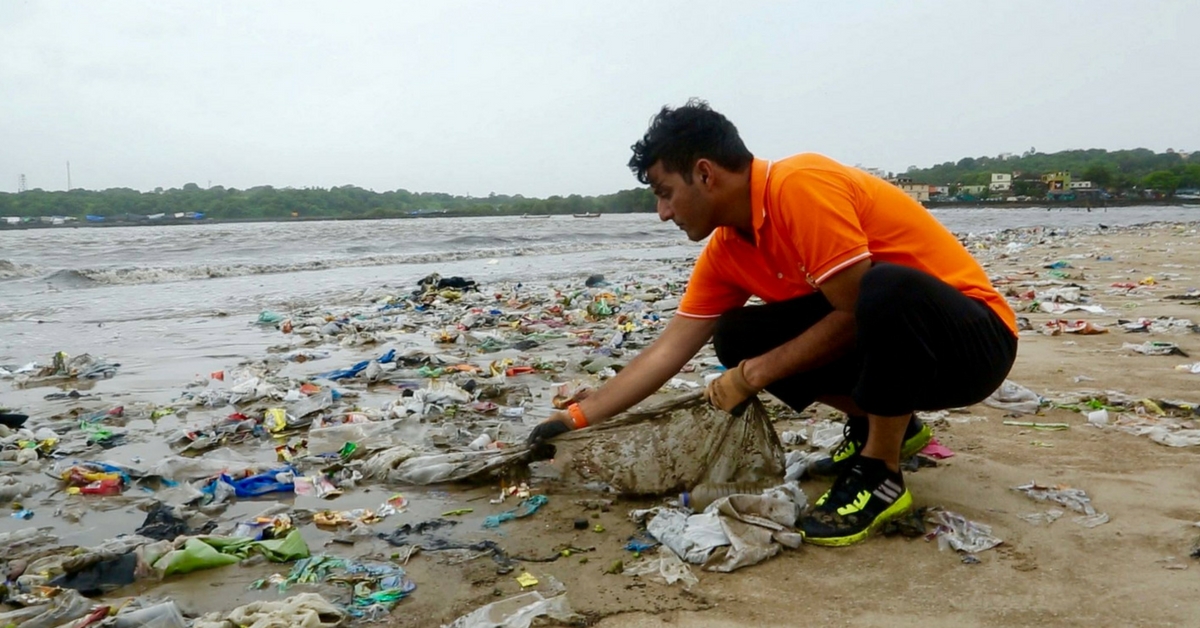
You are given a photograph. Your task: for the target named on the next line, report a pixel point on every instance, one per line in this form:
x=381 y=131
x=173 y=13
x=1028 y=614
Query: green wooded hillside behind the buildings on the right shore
x=1119 y=171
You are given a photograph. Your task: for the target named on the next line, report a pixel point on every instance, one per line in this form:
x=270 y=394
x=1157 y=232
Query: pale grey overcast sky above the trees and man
x=547 y=98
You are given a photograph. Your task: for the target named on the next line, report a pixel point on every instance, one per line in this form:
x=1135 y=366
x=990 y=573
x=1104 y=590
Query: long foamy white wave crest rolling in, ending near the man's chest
x=89 y=278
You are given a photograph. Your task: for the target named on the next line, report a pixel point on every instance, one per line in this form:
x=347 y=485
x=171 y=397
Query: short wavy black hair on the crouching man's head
x=681 y=137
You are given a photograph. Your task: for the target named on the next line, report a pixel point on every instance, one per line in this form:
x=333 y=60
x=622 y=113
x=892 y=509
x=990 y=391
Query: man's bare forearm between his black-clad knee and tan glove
x=824 y=343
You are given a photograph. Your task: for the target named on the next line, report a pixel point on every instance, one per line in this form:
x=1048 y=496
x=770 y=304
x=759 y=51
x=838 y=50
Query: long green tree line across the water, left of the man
x=267 y=202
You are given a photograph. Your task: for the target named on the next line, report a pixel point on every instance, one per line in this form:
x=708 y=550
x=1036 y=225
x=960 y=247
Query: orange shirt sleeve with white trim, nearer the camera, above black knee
x=821 y=208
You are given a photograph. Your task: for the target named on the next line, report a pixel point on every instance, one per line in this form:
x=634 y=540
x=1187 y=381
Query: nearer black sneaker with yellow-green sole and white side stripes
x=865 y=498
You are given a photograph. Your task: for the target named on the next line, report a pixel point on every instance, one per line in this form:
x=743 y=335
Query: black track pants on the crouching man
x=922 y=345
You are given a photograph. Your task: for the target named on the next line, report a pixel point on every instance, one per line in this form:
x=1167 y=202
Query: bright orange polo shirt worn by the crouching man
x=813 y=218
